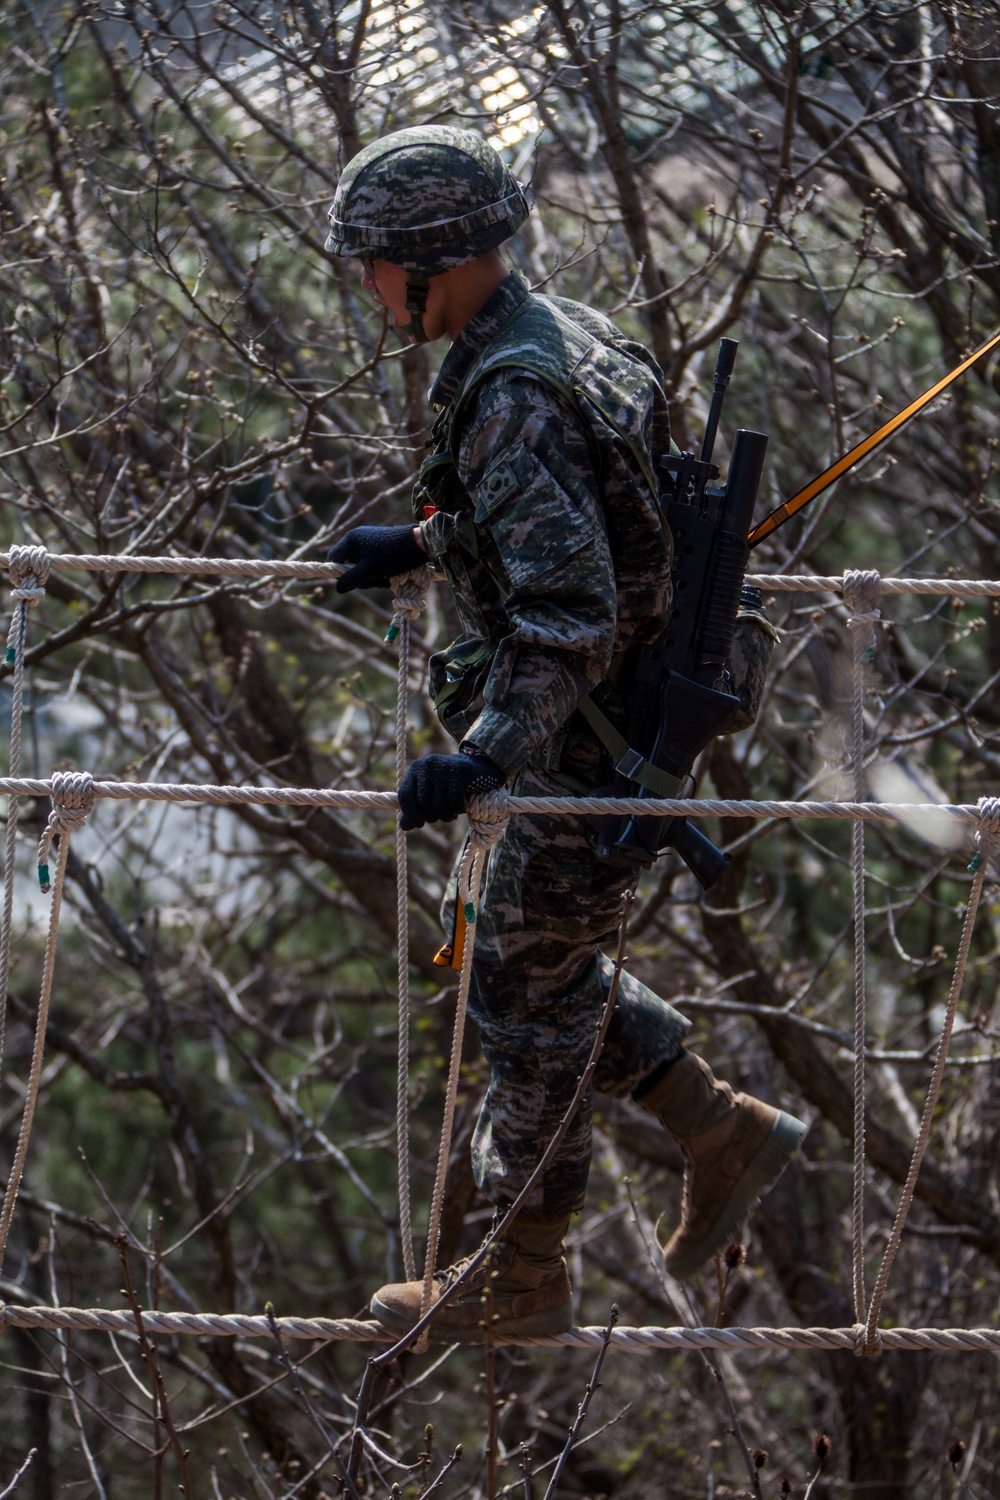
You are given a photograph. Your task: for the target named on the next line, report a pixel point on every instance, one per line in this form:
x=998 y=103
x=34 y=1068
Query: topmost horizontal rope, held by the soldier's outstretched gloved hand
x=317 y=571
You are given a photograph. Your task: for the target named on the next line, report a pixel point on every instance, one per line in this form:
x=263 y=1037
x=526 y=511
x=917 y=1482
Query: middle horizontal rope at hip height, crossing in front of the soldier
x=558 y=806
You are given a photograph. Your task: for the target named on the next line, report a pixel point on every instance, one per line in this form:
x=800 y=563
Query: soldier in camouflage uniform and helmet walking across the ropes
x=540 y=505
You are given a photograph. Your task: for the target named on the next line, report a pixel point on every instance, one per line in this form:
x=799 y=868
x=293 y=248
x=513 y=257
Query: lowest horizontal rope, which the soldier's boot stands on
x=638 y=1340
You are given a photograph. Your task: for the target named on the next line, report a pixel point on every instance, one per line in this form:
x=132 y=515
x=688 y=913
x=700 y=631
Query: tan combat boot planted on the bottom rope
x=531 y=1294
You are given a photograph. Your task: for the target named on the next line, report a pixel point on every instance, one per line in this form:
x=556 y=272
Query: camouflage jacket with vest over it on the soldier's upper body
x=545 y=509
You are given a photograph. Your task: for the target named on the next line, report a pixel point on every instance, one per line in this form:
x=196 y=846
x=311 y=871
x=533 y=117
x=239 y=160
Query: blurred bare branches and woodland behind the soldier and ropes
x=184 y=370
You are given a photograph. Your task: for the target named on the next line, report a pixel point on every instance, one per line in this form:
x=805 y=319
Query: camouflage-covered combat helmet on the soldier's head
x=427 y=199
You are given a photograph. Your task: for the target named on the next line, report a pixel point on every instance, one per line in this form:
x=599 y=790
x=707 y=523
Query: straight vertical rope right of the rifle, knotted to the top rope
x=863 y=593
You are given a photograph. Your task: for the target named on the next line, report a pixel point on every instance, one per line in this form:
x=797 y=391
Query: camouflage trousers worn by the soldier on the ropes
x=539 y=989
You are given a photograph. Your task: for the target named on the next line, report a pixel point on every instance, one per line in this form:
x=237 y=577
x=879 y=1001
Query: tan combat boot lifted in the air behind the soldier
x=735 y=1147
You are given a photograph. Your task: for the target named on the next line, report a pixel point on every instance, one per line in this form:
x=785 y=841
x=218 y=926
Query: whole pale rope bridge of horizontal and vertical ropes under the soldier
x=74 y=794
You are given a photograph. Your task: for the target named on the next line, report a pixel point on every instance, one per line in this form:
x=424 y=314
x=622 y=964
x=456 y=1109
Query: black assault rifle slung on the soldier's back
x=678 y=685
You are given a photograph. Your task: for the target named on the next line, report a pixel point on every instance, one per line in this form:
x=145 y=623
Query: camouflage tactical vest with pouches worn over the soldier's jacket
x=617 y=388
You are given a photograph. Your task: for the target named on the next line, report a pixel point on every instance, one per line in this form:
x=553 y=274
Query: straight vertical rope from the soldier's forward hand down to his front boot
x=410 y=598
